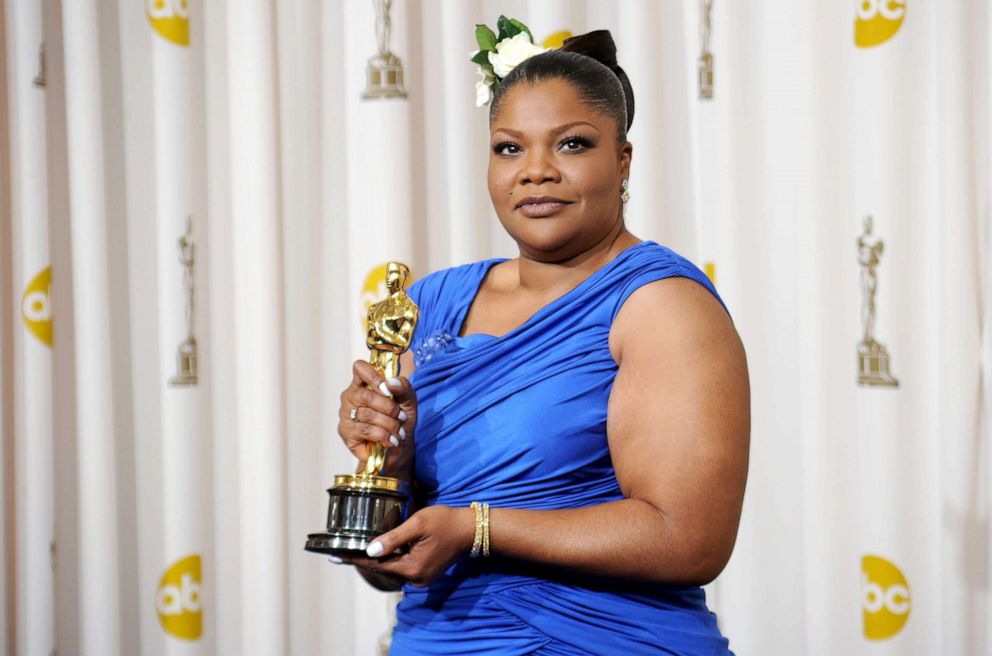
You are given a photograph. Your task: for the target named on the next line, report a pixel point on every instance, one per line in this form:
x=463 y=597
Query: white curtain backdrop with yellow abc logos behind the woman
x=144 y=516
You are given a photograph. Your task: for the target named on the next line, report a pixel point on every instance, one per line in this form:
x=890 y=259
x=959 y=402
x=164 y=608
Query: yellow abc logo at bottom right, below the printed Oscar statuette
x=884 y=597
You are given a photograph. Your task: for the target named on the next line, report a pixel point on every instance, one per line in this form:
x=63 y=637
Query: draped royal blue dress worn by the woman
x=519 y=421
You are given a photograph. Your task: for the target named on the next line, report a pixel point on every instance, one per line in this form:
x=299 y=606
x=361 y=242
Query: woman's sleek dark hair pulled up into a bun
x=589 y=63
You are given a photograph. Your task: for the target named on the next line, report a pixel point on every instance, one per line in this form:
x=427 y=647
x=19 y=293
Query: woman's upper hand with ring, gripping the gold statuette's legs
x=376 y=410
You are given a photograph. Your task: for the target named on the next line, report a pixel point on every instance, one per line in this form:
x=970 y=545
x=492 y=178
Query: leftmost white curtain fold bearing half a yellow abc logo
x=32 y=383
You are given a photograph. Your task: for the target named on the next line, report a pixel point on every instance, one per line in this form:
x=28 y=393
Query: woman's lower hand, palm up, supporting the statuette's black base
x=435 y=537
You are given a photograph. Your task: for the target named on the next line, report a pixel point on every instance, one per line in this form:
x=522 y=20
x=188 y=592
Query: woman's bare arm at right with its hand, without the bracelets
x=678 y=430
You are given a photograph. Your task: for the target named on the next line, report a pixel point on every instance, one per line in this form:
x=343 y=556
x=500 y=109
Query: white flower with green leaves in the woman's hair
x=499 y=54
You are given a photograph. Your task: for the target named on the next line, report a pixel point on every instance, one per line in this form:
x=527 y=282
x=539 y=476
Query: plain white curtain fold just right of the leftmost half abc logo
x=97 y=494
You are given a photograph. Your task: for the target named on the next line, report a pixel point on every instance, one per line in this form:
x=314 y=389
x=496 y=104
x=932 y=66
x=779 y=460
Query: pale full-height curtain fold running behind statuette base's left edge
x=298 y=38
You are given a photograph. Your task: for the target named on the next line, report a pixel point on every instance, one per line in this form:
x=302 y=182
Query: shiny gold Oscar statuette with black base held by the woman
x=367 y=504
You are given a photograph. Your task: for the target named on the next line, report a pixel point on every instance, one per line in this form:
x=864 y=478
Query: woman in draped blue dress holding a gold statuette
x=593 y=391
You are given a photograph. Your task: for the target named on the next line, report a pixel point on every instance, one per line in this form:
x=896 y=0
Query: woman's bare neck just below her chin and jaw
x=549 y=276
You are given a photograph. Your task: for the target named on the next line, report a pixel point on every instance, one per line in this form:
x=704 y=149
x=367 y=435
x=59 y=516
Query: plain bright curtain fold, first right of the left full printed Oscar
x=257 y=331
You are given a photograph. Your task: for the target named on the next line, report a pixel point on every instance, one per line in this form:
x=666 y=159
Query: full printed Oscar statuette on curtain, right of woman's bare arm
x=873 y=358
